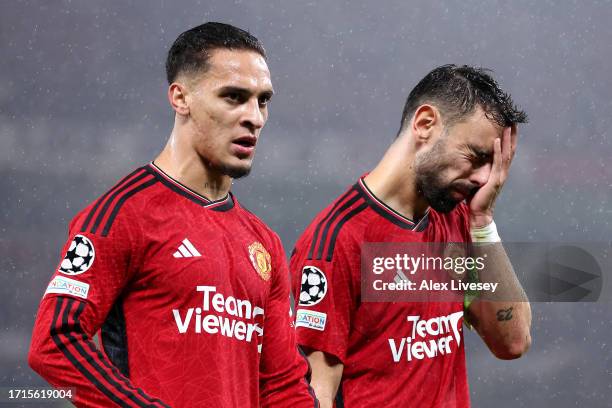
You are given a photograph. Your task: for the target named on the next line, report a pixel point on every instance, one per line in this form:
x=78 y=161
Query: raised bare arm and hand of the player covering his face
x=504 y=319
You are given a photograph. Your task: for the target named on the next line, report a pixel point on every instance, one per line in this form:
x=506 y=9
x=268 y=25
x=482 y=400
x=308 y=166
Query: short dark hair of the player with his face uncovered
x=191 y=50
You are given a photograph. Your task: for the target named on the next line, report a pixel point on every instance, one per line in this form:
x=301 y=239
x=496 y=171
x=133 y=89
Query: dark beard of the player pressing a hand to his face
x=430 y=167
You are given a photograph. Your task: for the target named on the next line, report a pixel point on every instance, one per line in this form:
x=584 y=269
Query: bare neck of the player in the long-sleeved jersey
x=181 y=162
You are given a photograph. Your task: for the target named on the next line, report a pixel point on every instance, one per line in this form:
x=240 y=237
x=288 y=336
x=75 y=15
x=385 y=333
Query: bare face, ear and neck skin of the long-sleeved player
x=219 y=115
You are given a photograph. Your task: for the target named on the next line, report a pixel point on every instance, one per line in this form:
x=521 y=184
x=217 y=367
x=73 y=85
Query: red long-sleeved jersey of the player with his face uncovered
x=189 y=299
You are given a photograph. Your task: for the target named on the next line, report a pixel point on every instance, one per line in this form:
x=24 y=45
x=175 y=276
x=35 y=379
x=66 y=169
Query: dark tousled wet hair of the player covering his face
x=457 y=90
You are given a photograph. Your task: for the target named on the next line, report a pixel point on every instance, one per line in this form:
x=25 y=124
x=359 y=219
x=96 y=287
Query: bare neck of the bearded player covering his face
x=393 y=180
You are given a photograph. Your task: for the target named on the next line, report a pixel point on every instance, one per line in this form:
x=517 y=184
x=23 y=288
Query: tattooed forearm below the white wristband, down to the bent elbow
x=503 y=317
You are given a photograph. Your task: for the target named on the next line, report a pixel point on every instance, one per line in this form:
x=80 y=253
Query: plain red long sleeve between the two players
x=283 y=369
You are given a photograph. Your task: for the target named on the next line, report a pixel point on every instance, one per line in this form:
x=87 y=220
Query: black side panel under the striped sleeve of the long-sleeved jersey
x=113 y=336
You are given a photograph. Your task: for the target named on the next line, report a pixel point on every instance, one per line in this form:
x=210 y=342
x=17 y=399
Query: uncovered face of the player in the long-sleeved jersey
x=228 y=107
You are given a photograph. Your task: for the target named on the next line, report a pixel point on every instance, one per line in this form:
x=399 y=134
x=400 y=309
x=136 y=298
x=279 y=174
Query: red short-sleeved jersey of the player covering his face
x=385 y=347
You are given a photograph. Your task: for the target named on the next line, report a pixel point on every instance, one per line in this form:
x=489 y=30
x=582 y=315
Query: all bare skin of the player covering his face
x=434 y=164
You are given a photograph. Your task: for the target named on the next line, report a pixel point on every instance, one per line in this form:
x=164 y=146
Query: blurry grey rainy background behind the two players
x=83 y=101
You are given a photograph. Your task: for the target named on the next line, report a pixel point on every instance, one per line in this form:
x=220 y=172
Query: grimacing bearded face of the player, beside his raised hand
x=458 y=163
